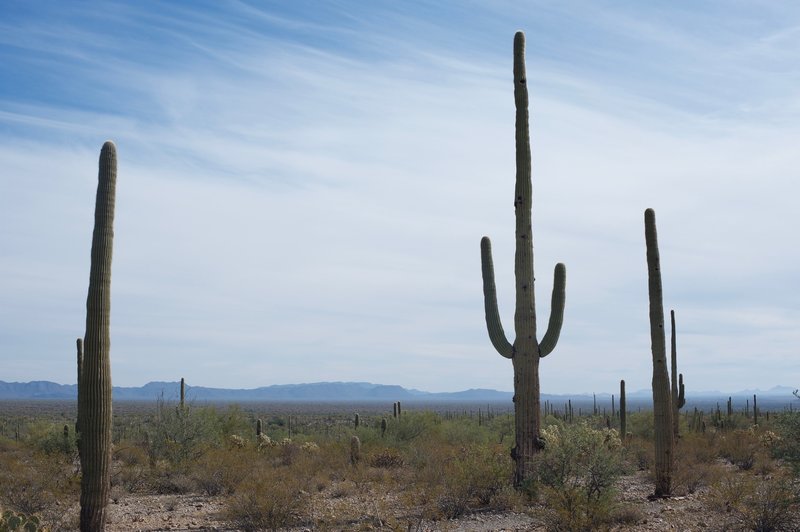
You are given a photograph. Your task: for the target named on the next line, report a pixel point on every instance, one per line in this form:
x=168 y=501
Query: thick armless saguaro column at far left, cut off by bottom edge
x=94 y=399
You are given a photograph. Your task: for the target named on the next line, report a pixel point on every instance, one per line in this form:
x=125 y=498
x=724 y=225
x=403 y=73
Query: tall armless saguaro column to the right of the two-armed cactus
x=662 y=401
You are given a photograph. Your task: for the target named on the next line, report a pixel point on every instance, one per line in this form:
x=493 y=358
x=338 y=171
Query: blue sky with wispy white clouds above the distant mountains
x=303 y=187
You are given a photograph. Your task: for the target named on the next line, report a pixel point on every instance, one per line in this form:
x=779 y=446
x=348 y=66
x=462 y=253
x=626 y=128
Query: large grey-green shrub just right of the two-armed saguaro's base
x=577 y=470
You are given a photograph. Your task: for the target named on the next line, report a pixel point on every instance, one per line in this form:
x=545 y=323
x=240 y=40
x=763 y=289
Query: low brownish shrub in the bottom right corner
x=761 y=504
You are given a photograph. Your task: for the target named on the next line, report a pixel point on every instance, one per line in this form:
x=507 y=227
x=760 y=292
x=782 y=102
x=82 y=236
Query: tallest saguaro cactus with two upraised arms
x=526 y=351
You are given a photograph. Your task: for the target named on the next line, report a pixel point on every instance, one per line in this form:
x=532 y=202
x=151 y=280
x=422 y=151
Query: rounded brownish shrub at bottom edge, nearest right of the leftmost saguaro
x=267 y=501
